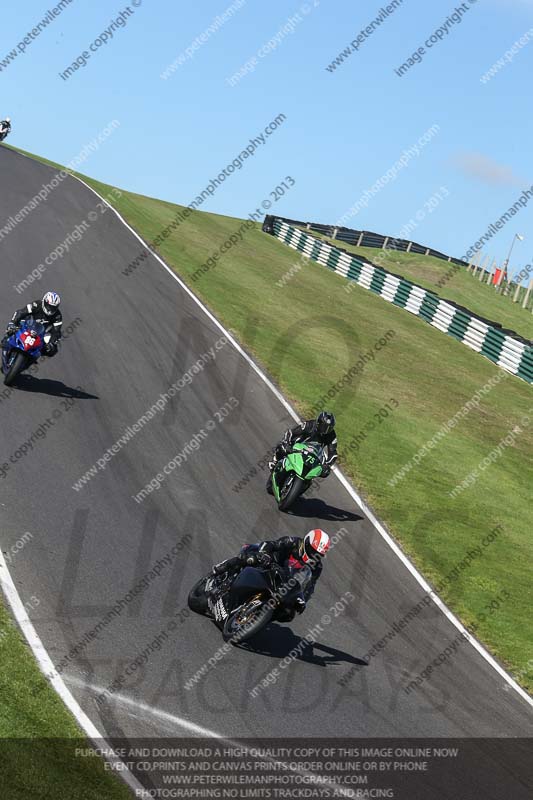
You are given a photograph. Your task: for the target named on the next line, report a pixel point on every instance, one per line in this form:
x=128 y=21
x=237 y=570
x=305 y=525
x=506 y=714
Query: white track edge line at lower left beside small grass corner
x=56 y=681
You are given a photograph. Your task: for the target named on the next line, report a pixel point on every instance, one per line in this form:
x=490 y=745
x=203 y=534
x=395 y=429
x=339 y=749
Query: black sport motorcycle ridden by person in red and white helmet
x=242 y=603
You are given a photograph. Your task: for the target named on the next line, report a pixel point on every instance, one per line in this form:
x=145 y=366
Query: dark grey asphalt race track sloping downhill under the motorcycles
x=135 y=336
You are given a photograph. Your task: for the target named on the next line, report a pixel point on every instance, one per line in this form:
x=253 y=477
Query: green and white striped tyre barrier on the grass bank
x=507 y=351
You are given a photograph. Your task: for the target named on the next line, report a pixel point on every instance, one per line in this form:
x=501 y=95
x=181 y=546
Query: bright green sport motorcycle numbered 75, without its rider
x=294 y=473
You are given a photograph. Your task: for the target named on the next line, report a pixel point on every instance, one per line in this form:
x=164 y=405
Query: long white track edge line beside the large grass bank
x=379 y=526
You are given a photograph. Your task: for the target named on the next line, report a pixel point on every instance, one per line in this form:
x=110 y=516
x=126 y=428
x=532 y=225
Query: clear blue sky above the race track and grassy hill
x=344 y=129
